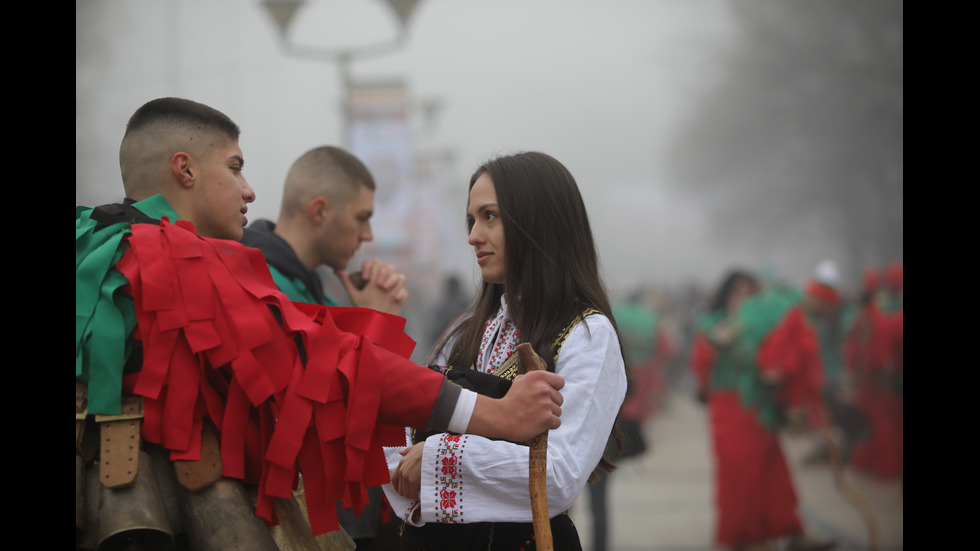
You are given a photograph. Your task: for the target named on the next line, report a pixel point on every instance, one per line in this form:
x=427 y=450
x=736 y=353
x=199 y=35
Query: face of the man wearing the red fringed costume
x=222 y=194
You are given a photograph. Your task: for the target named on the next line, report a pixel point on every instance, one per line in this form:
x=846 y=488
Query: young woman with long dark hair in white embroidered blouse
x=530 y=232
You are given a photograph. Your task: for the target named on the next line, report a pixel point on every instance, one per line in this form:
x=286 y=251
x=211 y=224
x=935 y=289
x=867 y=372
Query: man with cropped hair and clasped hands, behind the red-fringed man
x=326 y=211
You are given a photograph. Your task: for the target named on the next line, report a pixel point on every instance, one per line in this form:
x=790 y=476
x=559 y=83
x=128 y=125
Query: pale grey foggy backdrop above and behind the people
x=704 y=134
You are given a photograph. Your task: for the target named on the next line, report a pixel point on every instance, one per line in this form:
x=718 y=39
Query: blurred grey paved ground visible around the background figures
x=662 y=501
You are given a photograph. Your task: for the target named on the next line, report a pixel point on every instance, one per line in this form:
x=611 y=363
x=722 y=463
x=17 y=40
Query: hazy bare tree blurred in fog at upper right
x=803 y=139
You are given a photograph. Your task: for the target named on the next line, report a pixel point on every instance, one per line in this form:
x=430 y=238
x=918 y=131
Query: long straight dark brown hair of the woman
x=552 y=272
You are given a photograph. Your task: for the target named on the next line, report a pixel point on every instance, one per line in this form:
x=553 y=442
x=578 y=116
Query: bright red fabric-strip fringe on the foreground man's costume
x=220 y=346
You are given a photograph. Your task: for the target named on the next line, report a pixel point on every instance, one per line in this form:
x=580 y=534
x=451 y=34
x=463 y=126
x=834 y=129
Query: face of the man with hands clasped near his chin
x=345 y=228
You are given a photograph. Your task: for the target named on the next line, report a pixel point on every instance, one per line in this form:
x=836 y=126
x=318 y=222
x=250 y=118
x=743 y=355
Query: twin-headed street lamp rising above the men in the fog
x=283 y=12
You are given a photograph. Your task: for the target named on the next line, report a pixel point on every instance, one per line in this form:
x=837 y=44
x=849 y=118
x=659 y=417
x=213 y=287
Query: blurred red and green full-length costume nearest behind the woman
x=754 y=492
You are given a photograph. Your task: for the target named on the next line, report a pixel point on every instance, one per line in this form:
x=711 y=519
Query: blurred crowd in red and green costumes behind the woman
x=767 y=358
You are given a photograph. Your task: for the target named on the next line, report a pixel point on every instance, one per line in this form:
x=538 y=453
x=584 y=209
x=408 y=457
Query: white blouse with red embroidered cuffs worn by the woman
x=468 y=478
